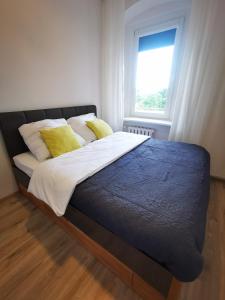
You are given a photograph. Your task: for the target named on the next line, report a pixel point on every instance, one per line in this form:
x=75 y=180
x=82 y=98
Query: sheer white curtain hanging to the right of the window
x=199 y=114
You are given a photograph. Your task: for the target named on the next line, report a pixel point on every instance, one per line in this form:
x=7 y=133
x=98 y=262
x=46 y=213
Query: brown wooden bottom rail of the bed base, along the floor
x=126 y=274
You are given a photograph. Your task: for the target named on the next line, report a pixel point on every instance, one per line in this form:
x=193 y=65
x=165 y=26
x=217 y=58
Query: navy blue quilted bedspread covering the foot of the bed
x=156 y=198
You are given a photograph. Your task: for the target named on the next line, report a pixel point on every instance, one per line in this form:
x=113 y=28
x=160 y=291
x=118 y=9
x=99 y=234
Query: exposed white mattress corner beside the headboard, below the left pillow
x=26 y=162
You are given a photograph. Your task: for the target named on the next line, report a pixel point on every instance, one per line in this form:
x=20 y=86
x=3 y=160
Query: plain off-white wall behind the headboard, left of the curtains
x=49 y=57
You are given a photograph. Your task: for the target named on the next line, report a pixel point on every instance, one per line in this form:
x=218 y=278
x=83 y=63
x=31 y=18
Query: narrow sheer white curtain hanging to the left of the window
x=113 y=62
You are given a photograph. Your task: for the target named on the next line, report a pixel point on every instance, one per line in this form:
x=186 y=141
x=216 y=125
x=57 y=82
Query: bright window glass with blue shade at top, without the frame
x=153 y=75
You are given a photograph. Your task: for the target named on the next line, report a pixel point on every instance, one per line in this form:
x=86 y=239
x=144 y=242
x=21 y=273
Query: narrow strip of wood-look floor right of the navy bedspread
x=211 y=283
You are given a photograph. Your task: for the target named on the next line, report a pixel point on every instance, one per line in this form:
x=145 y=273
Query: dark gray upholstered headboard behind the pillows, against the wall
x=11 y=121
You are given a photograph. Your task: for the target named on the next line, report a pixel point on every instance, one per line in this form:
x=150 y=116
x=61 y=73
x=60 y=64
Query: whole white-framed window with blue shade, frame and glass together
x=153 y=55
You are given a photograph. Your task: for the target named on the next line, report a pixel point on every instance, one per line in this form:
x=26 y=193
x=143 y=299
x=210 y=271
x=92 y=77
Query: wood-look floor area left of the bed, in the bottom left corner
x=38 y=260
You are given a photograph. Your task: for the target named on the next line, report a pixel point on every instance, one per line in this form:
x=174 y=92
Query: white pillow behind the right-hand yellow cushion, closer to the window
x=79 y=126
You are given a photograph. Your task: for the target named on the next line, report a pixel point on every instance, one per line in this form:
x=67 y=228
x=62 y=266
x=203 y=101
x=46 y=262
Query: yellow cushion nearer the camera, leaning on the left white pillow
x=59 y=140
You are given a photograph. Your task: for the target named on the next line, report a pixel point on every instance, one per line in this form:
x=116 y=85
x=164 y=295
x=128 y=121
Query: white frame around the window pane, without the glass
x=177 y=24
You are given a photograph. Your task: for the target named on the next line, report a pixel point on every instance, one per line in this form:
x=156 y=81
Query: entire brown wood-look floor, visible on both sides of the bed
x=39 y=261
